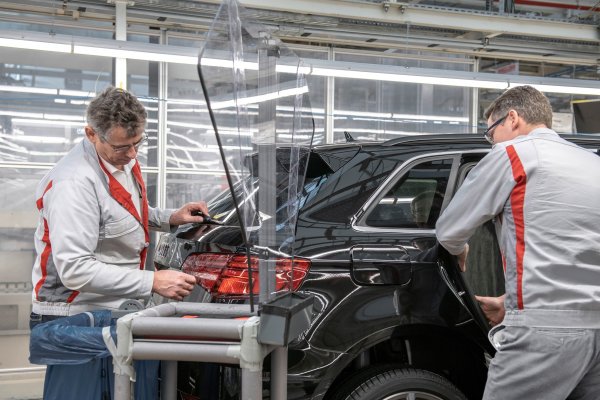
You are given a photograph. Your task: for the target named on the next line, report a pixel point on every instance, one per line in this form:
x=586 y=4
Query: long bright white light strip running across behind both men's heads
x=336 y=69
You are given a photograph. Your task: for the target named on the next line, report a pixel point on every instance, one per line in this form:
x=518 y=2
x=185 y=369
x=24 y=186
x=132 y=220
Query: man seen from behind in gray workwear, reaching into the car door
x=544 y=194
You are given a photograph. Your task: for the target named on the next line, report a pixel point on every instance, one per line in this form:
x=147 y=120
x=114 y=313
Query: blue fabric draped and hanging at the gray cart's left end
x=79 y=364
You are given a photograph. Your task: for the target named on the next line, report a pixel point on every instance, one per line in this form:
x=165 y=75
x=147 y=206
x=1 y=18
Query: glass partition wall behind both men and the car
x=43 y=97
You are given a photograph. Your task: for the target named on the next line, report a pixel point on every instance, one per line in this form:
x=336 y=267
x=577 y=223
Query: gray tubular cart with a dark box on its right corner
x=216 y=333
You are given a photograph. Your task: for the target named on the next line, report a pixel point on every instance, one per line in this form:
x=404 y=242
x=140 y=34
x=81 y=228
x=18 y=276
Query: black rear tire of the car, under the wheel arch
x=400 y=384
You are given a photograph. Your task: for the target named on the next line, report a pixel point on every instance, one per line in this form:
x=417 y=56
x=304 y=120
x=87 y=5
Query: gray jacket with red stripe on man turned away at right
x=545 y=195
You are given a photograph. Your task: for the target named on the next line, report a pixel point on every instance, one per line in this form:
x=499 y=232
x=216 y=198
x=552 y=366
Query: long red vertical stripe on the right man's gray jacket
x=517 y=201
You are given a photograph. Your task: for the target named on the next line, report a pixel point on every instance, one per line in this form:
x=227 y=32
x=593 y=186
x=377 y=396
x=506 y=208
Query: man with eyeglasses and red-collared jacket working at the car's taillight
x=94 y=223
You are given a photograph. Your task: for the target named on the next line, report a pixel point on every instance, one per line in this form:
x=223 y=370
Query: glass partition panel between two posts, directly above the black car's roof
x=381 y=110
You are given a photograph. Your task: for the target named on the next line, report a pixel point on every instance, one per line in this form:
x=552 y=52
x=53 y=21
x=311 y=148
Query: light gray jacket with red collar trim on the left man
x=90 y=242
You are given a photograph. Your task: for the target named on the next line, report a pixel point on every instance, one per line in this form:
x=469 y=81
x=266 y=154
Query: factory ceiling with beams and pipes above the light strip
x=529 y=30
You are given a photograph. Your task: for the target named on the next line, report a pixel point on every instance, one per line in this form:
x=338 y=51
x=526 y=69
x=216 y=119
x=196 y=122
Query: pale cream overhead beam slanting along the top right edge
x=430 y=16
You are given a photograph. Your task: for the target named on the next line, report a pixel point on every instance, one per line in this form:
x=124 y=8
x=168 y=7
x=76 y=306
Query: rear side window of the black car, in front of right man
x=415 y=200
